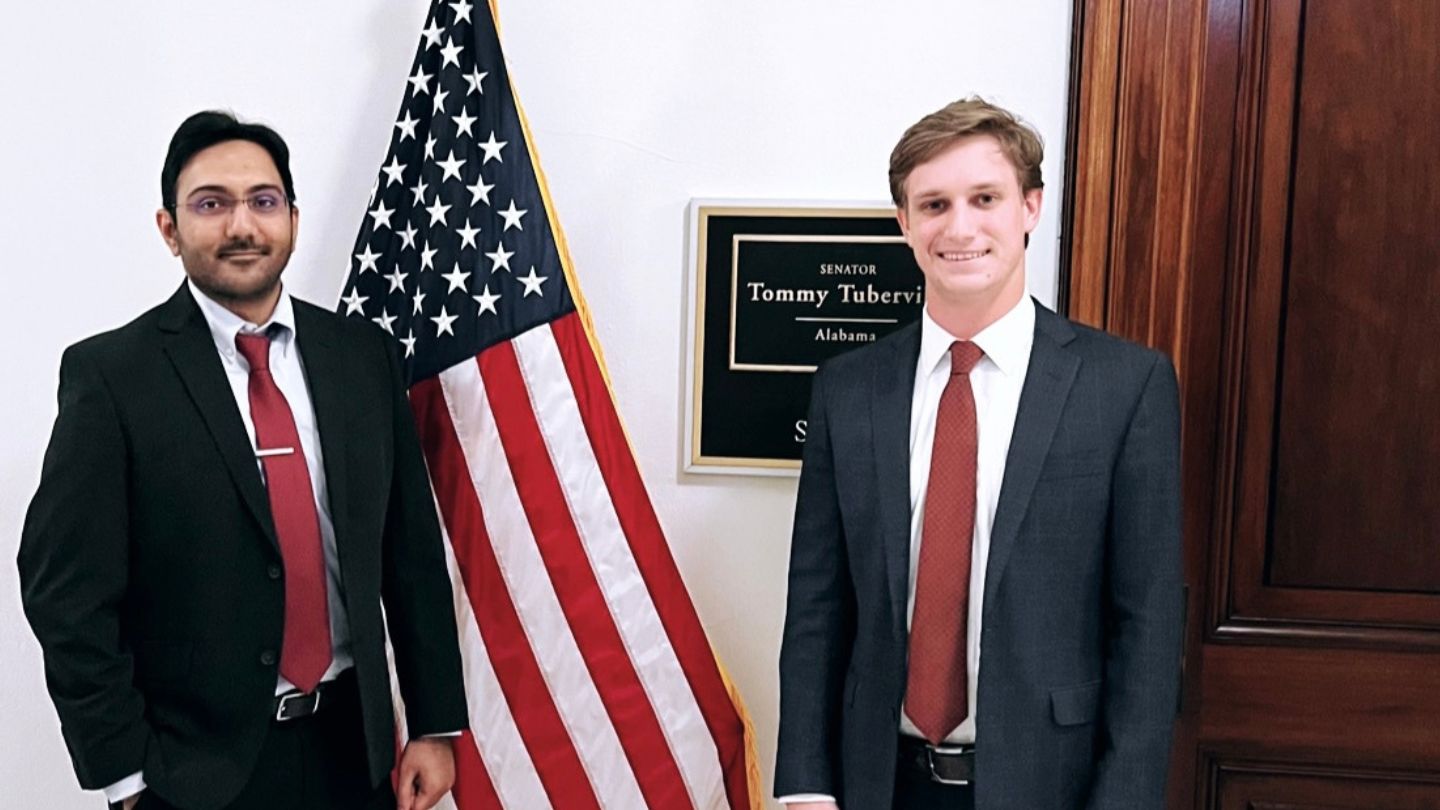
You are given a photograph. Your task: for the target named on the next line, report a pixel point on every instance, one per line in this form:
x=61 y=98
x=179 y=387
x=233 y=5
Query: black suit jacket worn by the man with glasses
x=150 y=569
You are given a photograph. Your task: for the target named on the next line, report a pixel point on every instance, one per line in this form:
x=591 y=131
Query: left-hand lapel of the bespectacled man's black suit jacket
x=191 y=348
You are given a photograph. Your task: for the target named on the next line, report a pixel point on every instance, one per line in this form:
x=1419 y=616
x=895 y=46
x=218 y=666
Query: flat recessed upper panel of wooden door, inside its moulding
x=1357 y=459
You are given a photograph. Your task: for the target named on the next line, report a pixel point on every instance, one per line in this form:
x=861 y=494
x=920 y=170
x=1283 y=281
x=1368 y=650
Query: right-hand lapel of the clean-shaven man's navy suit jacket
x=1042 y=401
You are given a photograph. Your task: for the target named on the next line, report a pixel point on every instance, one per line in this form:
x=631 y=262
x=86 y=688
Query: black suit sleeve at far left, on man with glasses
x=74 y=570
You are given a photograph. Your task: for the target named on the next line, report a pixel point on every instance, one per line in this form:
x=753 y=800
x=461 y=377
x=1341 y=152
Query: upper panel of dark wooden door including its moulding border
x=1334 y=531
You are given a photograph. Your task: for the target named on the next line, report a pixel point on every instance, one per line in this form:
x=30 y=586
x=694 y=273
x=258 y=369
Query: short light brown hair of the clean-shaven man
x=960 y=120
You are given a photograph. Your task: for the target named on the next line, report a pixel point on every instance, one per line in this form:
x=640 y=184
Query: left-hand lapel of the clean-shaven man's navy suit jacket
x=891 y=420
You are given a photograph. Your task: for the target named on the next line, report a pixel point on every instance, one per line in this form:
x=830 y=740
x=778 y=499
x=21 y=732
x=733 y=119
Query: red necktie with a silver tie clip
x=306 y=652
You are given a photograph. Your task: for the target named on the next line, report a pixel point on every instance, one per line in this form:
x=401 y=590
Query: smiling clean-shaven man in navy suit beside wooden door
x=986 y=586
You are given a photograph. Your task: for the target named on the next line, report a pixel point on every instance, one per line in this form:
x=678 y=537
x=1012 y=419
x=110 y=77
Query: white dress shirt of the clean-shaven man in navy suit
x=996 y=381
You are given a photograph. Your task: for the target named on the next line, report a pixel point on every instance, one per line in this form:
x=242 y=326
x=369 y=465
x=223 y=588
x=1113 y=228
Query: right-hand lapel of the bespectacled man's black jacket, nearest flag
x=323 y=362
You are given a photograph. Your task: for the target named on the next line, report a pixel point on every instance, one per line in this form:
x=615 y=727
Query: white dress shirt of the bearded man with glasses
x=289 y=371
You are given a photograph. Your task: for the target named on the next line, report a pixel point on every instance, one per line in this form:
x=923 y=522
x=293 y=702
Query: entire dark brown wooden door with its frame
x=1254 y=188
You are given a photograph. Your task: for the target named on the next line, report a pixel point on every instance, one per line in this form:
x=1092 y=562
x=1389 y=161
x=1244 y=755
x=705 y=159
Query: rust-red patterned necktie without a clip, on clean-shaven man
x=937 y=694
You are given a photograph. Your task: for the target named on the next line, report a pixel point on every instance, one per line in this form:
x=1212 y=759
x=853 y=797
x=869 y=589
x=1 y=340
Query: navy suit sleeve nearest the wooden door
x=1143 y=605
